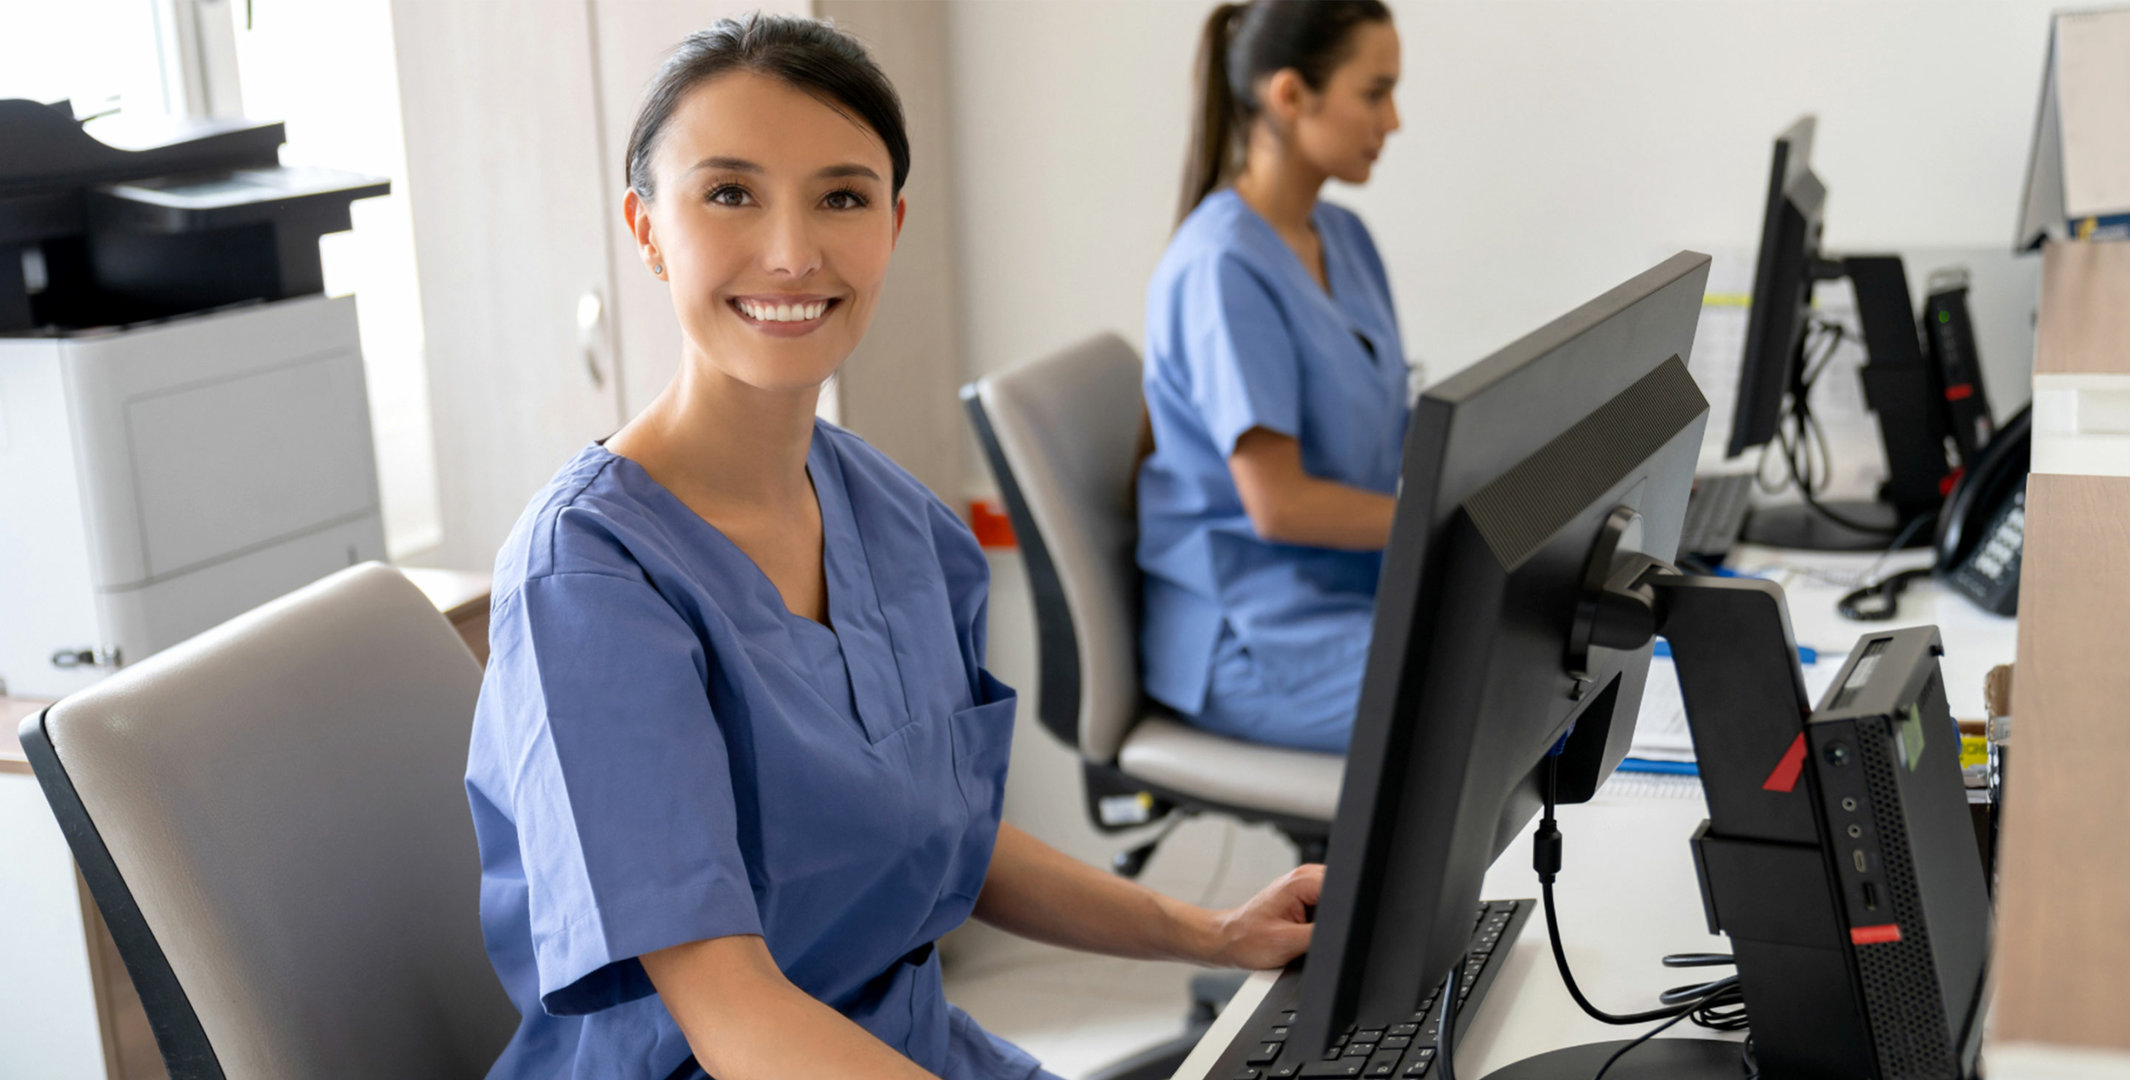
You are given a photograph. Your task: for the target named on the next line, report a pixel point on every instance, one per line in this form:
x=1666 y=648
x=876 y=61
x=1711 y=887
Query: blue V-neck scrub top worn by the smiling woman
x=663 y=753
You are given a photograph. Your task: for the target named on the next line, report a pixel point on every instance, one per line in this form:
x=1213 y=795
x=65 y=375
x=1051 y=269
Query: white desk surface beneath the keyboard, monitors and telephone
x=1628 y=894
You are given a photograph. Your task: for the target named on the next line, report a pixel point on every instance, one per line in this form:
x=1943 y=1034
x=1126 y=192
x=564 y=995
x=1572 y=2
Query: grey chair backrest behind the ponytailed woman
x=1064 y=440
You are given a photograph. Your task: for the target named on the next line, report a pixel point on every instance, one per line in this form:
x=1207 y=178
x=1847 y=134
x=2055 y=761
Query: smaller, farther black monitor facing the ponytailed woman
x=1782 y=289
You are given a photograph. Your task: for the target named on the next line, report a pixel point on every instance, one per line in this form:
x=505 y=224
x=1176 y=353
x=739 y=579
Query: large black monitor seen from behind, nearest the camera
x=1511 y=474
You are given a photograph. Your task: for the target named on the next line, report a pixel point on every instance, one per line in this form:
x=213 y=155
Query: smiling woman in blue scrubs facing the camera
x=738 y=762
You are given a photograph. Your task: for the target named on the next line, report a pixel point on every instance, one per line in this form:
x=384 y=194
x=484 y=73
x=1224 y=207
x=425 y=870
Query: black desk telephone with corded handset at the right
x=1982 y=531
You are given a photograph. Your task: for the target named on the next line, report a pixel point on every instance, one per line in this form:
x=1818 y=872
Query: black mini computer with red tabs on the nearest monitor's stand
x=1839 y=860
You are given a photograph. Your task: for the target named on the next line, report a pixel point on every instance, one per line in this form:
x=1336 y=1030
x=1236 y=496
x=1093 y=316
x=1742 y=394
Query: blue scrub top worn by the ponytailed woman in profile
x=1241 y=336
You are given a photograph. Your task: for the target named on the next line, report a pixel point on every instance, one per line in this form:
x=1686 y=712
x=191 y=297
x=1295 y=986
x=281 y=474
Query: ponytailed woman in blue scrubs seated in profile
x=1275 y=384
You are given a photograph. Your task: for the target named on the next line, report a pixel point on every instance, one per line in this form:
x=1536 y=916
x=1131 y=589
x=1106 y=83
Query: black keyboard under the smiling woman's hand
x=1403 y=1051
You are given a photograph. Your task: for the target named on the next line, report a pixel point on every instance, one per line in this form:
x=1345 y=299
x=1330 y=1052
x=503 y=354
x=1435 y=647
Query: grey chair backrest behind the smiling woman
x=274 y=821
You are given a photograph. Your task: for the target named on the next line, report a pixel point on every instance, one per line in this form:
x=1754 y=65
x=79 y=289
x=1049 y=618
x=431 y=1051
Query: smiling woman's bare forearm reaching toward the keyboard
x=1047 y=896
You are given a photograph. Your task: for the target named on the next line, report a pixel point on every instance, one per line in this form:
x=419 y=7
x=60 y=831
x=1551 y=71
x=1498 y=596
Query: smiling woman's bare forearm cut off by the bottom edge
x=747 y=1021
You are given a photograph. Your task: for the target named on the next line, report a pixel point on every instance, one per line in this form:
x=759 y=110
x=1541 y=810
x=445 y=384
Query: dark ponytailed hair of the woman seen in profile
x=1245 y=44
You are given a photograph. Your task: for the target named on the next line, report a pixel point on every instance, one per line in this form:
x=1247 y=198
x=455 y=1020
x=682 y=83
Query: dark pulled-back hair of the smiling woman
x=804 y=54
